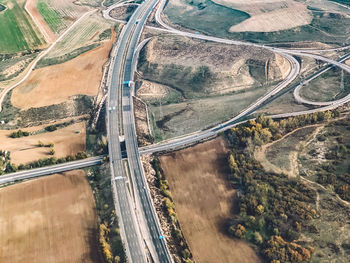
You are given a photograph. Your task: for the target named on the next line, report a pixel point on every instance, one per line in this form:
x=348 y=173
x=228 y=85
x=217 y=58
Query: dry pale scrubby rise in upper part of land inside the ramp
x=234 y=68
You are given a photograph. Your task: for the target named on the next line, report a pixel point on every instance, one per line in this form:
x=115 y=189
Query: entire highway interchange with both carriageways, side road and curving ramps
x=138 y=221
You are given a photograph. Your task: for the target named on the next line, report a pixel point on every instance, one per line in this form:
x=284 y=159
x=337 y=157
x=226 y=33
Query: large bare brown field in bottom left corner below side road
x=51 y=219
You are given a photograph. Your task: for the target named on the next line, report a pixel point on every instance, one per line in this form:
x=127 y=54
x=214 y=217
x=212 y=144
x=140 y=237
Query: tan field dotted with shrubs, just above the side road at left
x=68 y=140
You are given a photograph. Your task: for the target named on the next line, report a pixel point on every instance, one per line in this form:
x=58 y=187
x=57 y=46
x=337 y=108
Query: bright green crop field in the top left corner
x=17 y=33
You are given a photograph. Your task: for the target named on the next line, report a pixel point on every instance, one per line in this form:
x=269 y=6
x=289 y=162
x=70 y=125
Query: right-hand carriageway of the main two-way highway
x=156 y=245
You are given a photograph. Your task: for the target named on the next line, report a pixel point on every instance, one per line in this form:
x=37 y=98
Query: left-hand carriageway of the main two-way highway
x=130 y=231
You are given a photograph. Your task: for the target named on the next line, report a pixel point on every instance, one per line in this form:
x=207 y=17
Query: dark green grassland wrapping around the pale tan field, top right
x=213 y=19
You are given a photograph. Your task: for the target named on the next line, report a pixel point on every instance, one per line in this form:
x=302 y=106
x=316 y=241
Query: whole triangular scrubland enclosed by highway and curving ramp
x=220 y=82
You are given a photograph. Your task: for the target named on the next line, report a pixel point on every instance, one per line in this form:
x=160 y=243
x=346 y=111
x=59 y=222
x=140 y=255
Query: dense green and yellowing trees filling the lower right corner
x=282 y=215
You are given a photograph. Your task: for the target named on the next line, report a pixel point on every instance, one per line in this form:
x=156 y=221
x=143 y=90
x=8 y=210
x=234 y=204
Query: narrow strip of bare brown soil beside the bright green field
x=39 y=21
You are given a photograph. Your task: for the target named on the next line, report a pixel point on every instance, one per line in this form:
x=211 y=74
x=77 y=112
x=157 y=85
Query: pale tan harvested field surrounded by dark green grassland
x=270 y=15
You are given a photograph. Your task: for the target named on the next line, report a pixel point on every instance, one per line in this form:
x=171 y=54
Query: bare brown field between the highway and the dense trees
x=203 y=199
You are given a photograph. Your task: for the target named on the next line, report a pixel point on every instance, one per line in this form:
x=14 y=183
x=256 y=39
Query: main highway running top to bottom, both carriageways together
x=147 y=227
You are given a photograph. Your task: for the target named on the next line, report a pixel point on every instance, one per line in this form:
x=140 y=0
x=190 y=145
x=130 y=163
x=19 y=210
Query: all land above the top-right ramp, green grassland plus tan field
x=264 y=21
